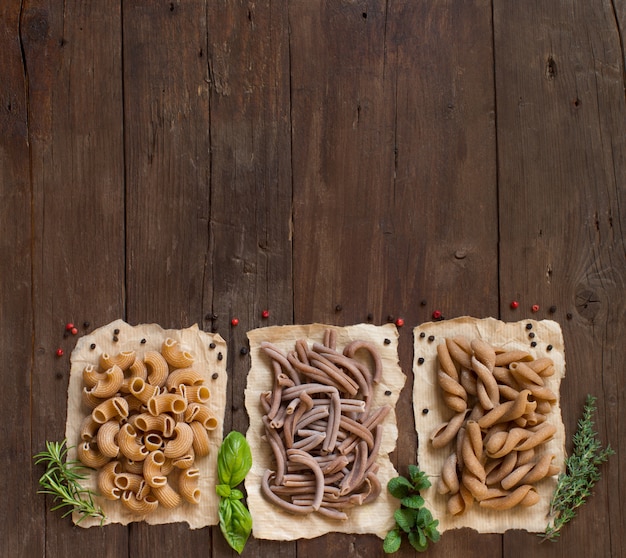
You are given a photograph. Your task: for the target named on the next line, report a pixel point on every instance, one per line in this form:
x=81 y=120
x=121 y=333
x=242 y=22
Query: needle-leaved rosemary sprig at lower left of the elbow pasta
x=62 y=481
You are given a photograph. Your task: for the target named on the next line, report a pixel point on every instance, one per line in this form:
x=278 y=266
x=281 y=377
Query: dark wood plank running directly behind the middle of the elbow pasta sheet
x=166 y=121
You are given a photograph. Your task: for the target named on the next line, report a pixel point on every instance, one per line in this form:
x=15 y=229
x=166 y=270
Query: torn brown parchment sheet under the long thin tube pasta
x=269 y=522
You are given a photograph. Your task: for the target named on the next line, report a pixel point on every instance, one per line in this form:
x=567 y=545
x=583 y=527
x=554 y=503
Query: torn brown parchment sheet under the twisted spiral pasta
x=426 y=395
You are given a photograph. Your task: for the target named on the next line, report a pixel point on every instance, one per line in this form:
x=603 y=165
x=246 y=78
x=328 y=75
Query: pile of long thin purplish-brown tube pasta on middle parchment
x=322 y=431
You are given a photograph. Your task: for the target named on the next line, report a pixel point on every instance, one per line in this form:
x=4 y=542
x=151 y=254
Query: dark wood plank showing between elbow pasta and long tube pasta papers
x=251 y=252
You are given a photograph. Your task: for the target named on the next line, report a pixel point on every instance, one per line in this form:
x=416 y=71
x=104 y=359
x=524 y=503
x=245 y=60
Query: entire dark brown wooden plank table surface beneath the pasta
x=332 y=161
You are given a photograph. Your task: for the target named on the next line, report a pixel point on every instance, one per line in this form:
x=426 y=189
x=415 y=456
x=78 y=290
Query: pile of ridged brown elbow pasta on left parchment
x=148 y=423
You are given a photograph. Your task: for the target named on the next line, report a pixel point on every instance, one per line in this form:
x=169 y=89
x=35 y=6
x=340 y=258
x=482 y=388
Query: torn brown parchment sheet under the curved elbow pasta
x=206 y=361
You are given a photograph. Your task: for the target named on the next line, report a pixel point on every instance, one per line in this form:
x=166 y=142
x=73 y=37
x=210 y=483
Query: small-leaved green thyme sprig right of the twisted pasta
x=581 y=473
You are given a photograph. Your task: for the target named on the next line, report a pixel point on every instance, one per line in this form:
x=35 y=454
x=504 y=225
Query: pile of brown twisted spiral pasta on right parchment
x=499 y=426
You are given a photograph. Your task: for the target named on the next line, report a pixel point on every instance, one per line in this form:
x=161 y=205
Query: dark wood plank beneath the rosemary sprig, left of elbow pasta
x=72 y=60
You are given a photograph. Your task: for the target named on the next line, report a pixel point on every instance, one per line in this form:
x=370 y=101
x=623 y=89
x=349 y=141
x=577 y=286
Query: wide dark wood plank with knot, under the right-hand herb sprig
x=562 y=163
